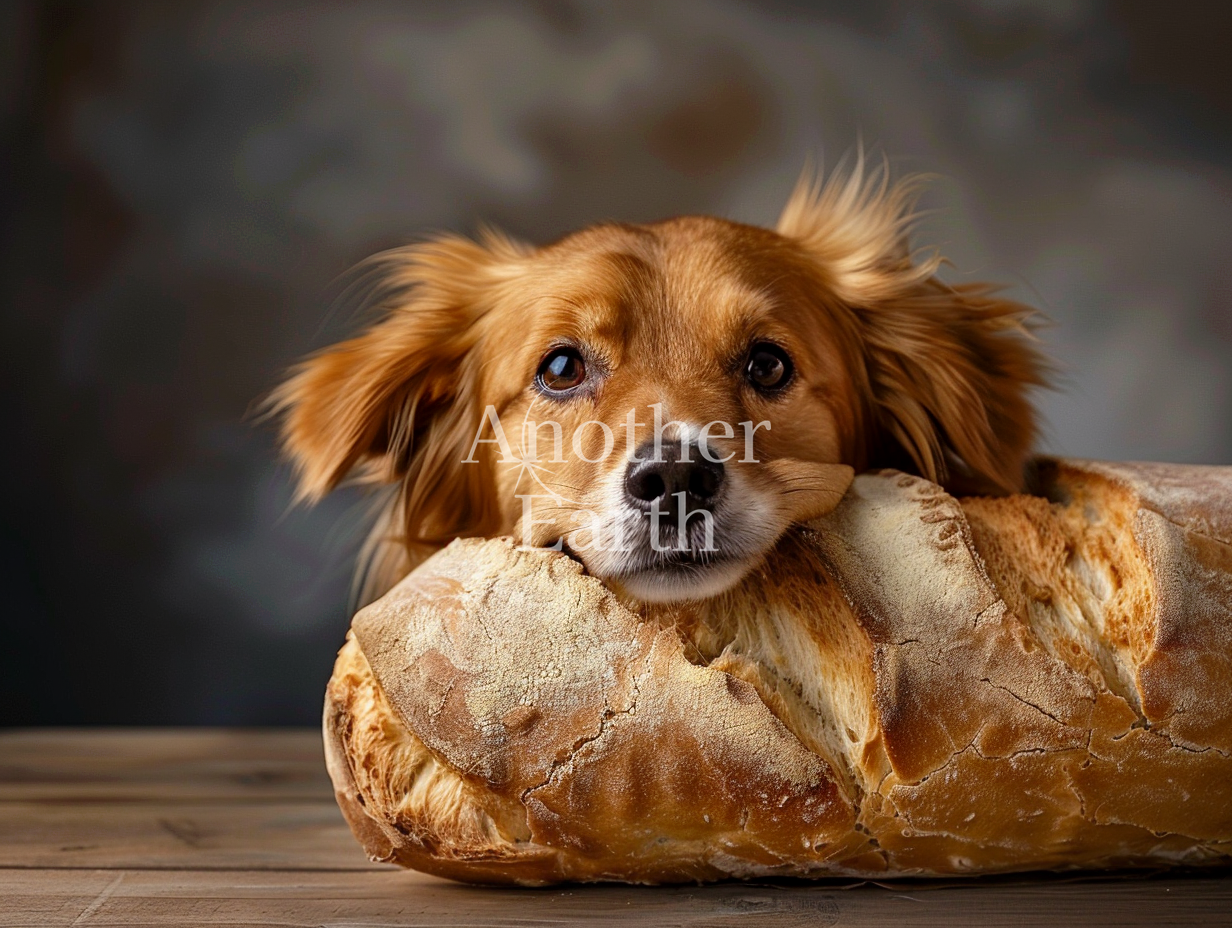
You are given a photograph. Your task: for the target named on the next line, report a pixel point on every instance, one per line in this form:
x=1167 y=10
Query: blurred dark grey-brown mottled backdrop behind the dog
x=182 y=183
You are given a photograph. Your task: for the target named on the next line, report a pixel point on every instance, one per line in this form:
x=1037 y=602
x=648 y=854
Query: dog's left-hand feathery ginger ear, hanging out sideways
x=399 y=404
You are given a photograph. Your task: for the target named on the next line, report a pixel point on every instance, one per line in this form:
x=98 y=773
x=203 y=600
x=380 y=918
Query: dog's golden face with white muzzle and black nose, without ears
x=656 y=379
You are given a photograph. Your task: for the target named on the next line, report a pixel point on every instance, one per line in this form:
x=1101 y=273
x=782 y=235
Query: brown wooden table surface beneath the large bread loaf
x=205 y=828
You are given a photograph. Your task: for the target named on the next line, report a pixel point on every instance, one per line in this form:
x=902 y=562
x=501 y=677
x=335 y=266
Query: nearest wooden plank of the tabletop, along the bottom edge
x=129 y=898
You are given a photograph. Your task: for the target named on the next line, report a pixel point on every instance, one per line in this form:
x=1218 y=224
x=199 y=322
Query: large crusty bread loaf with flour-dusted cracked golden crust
x=914 y=685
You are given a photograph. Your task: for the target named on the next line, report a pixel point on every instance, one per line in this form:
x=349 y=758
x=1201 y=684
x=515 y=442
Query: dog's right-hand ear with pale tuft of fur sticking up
x=947 y=370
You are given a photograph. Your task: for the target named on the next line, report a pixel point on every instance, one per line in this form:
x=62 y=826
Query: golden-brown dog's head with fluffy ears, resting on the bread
x=665 y=400
